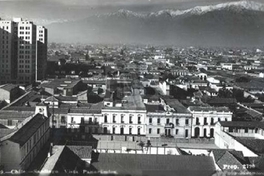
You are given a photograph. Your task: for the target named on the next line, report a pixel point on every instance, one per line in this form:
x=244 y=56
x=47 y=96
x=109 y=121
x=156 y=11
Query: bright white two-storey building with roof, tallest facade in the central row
x=127 y=117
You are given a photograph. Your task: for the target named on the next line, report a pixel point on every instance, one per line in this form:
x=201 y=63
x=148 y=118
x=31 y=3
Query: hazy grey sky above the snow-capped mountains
x=47 y=11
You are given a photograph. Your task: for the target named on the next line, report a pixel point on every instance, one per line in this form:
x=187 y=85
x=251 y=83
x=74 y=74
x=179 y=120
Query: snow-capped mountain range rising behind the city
x=239 y=23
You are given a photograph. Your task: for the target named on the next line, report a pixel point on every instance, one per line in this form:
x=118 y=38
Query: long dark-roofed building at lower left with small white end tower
x=19 y=148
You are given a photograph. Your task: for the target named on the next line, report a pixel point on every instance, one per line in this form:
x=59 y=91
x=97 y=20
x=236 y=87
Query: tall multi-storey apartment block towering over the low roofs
x=23 y=54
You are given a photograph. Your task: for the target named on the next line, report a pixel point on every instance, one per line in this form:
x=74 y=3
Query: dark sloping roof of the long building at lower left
x=24 y=133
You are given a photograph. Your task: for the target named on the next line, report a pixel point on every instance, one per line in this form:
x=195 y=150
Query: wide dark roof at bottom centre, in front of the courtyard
x=142 y=164
